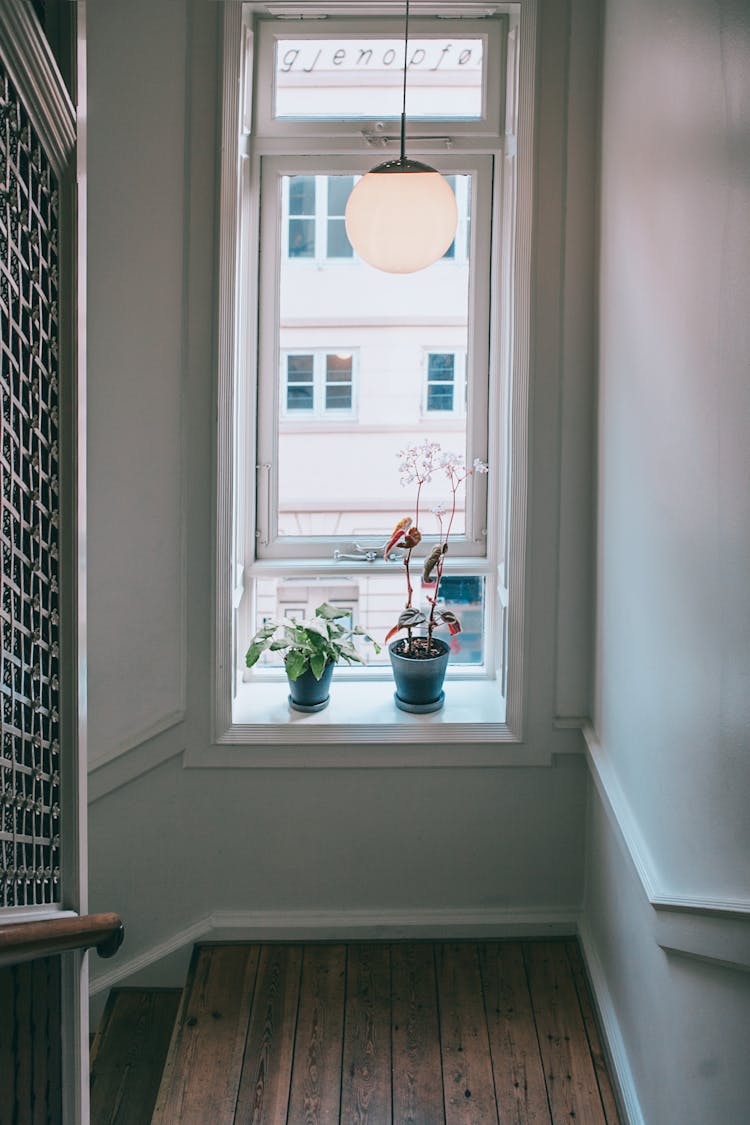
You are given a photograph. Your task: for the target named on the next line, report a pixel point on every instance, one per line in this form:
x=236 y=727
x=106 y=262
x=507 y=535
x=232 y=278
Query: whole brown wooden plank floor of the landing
x=431 y=1033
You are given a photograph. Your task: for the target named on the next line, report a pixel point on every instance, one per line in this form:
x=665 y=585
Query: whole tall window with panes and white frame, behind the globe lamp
x=337 y=366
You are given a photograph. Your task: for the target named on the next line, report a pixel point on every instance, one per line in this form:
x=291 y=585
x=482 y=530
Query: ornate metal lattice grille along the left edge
x=30 y=644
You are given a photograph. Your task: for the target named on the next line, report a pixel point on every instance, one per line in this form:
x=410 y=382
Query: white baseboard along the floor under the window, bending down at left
x=346 y=925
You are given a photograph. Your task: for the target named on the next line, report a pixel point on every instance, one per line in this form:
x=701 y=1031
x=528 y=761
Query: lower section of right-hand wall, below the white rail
x=679 y=1027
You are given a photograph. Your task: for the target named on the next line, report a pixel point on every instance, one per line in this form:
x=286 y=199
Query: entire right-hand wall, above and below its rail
x=673 y=680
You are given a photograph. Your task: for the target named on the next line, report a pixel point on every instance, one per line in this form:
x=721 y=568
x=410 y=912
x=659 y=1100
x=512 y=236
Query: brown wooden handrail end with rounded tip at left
x=25 y=941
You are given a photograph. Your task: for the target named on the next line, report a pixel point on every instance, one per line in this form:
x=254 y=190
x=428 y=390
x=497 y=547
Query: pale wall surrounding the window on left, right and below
x=169 y=844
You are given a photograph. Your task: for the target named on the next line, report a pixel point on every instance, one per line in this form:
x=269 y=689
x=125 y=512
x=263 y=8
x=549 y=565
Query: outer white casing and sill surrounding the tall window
x=365 y=717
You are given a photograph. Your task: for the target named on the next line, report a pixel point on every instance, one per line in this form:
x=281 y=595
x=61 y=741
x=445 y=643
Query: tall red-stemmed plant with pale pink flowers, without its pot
x=418 y=465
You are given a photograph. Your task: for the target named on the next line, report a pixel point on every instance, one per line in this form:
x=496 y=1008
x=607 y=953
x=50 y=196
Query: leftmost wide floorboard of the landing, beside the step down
x=204 y=1066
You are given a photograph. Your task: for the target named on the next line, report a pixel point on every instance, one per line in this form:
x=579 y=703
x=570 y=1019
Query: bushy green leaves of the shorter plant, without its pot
x=312 y=644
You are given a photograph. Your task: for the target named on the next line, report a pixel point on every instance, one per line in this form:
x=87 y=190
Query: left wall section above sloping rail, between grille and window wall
x=137 y=57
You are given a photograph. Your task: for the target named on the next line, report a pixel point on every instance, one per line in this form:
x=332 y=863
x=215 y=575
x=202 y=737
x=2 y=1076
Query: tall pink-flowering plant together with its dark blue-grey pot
x=420 y=660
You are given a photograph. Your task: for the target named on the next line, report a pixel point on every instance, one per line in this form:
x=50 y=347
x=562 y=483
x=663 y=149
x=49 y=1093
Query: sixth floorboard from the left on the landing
x=467 y=1066
